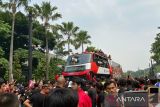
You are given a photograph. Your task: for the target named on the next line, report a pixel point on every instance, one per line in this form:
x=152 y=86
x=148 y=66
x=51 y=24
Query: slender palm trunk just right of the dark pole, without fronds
x=47 y=55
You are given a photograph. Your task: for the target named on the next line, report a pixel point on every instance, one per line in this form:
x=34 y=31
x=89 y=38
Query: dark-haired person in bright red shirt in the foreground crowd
x=84 y=99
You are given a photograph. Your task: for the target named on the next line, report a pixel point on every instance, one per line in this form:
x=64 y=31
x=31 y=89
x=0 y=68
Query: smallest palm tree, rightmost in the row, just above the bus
x=82 y=38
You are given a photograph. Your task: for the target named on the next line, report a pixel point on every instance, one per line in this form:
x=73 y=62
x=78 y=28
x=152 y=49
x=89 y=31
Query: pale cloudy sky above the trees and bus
x=125 y=29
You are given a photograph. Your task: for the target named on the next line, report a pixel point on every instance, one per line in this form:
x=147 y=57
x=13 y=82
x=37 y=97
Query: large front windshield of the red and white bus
x=79 y=59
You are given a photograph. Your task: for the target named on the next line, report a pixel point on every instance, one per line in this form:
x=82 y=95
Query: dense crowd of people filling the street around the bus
x=76 y=92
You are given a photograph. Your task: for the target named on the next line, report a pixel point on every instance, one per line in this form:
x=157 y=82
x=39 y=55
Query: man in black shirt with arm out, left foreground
x=38 y=99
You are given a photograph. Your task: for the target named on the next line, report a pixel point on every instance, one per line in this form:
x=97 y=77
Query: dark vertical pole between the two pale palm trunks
x=30 y=48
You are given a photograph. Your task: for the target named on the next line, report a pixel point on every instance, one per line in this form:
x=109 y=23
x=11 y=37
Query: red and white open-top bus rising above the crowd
x=88 y=65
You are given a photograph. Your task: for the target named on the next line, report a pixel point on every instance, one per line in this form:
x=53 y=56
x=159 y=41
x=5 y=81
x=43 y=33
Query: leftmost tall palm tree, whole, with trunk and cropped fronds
x=13 y=5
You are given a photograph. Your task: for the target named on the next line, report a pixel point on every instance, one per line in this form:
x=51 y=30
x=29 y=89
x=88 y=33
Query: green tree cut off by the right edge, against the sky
x=155 y=49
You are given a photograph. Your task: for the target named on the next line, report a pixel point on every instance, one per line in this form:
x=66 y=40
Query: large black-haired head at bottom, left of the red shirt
x=62 y=97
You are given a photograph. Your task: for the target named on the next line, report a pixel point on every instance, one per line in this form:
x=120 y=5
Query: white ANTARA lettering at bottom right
x=131 y=99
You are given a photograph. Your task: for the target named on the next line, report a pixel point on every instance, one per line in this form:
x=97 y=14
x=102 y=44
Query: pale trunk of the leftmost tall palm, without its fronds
x=11 y=51
